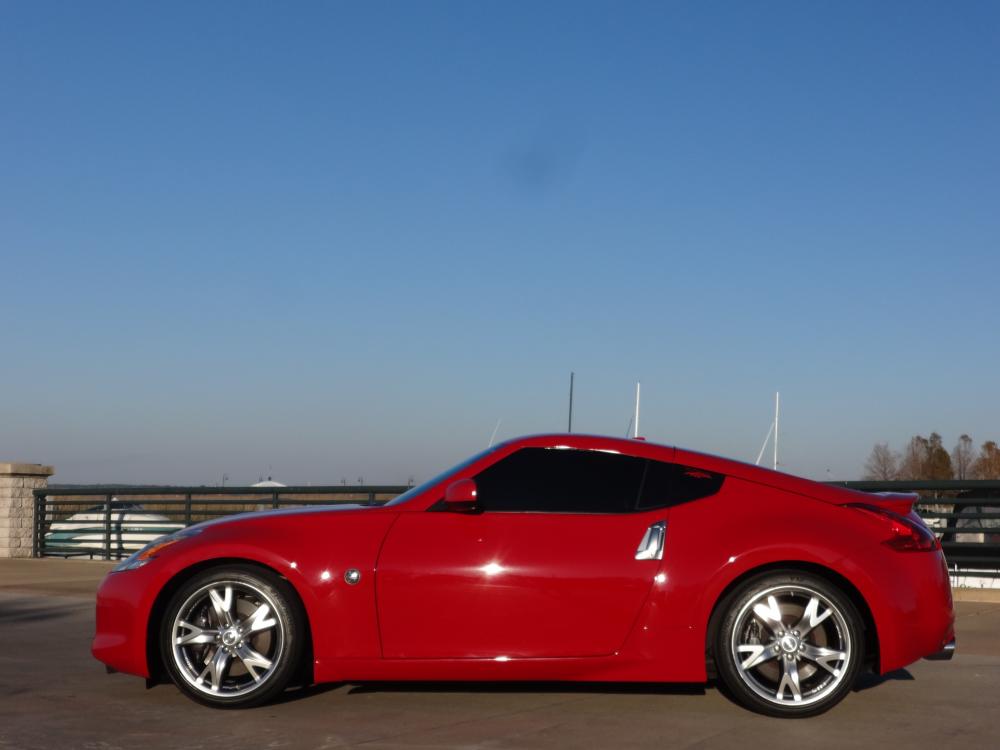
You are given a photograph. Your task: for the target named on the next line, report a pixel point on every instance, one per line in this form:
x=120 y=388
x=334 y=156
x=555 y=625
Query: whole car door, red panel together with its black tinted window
x=547 y=567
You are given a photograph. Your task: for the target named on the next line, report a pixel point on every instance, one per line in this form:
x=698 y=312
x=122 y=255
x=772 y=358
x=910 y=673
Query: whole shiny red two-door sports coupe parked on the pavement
x=556 y=557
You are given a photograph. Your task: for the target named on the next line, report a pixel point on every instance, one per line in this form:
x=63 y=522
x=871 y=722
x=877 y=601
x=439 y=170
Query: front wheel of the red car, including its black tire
x=242 y=637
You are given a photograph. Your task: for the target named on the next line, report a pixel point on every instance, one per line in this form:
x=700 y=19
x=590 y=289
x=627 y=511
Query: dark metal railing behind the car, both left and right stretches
x=113 y=522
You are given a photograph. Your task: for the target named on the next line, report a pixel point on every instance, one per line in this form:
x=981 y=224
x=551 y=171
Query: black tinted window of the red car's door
x=561 y=481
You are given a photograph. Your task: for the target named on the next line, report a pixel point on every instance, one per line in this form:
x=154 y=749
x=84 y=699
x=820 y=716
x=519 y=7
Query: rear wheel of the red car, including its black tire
x=799 y=661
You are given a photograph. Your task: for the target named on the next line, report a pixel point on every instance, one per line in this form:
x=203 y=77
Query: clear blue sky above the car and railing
x=343 y=240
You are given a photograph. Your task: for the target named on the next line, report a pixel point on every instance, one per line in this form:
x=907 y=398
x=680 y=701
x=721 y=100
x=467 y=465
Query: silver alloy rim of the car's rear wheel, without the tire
x=791 y=645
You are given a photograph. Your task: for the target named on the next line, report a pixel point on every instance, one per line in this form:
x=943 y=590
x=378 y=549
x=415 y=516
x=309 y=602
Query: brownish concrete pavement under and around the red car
x=53 y=694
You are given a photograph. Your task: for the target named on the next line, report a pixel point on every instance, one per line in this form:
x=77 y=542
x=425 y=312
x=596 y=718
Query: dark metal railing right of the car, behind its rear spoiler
x=964 y=514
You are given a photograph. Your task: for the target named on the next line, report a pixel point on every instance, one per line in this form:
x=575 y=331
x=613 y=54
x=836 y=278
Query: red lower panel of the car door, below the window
x=508 y=585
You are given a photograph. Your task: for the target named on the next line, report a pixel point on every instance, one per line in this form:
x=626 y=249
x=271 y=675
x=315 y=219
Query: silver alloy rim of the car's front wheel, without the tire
x=228 y=638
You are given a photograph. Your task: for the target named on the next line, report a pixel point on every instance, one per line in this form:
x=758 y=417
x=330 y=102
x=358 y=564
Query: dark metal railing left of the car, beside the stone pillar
x=113 y=522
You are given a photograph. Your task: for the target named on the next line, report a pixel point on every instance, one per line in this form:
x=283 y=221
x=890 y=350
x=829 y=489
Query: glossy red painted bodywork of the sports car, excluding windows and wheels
x=538 y=596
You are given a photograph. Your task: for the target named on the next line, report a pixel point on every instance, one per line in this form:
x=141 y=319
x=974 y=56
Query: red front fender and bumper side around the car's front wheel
x=311 y=550
